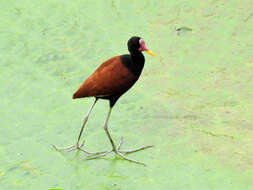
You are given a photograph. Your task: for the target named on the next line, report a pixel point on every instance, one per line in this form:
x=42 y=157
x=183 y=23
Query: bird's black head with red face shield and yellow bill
x=136 y=45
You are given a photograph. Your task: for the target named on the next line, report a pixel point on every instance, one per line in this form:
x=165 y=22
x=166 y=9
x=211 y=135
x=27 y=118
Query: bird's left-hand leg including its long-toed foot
x=79 y=146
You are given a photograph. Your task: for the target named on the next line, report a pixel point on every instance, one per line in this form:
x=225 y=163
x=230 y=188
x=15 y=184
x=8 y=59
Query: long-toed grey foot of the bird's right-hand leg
x=120 y=153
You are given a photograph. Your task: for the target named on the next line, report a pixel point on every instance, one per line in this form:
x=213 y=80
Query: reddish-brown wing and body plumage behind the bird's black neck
x=110 y=78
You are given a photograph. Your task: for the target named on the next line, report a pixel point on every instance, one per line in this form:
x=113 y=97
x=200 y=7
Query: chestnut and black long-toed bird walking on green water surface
x=110 y=81
